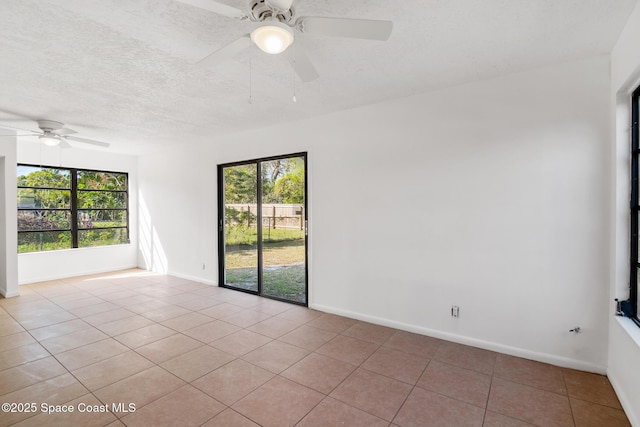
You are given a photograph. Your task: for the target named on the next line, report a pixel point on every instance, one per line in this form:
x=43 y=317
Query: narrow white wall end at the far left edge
x=8 y=217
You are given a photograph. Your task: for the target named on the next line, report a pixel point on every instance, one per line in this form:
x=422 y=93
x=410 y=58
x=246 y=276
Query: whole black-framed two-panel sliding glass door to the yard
x=262 y=223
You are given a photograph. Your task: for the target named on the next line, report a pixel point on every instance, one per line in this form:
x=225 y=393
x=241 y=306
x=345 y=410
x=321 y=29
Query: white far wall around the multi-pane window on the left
x=41 y=266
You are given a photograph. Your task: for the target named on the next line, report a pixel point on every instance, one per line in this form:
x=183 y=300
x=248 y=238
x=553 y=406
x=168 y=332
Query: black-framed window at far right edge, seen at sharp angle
x=634 y=302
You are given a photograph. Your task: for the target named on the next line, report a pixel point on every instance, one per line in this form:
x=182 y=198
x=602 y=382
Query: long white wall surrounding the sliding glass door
x=491 y=196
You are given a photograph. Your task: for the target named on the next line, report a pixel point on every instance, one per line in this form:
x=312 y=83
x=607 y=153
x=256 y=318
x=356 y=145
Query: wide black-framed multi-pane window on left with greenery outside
x=60 y=208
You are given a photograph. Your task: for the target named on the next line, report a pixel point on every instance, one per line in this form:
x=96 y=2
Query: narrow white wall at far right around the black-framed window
x=624 y=336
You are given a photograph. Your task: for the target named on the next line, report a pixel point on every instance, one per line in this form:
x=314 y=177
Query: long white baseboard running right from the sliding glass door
x=474 y=342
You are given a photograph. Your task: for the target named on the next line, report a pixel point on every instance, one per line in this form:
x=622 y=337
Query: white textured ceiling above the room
x=123 y=71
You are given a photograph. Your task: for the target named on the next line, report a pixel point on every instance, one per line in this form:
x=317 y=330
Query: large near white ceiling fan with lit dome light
x=276 y=25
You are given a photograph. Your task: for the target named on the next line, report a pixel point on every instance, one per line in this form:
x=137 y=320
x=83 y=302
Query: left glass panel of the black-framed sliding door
x=241 y=227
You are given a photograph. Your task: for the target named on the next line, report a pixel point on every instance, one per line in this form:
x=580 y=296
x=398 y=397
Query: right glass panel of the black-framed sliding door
x=283 y=229
